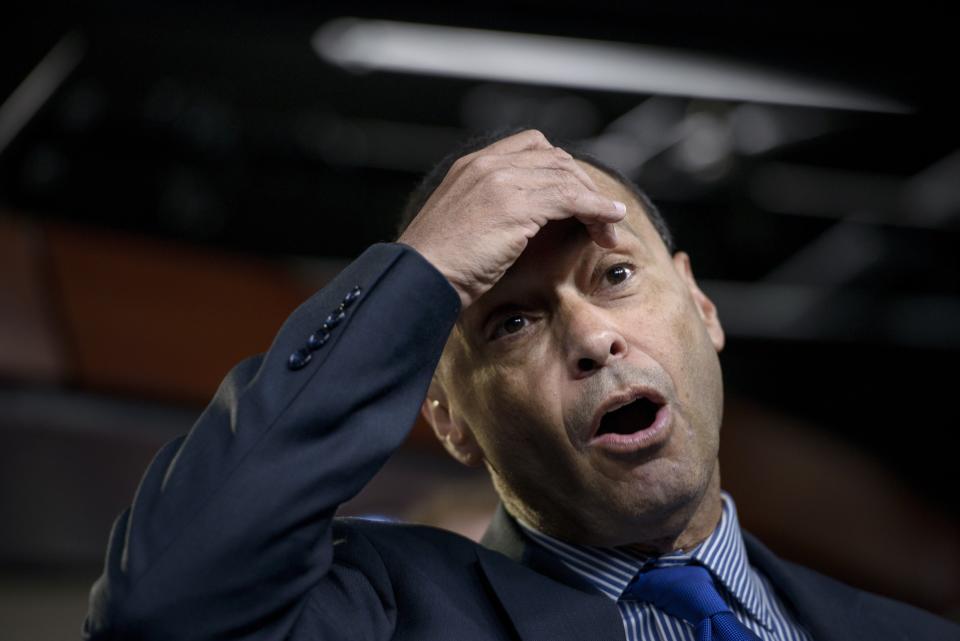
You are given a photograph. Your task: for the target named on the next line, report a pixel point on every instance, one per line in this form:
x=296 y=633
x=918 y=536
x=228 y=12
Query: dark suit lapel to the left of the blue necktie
x=544 y=599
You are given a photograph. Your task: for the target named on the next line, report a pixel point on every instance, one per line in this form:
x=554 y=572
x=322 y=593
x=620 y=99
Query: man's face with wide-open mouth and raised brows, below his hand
x=536 y=369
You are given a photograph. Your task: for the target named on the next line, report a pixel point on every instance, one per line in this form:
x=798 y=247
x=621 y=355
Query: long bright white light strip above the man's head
x=572 y=62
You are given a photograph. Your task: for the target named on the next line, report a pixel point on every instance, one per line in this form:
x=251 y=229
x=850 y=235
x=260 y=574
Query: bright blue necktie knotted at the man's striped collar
x=687 y=592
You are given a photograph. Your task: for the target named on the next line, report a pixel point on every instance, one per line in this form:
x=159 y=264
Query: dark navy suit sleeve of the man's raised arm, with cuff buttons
x=231 y=524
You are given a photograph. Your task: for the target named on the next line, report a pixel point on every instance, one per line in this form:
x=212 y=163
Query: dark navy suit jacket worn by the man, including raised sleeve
x=231 y=534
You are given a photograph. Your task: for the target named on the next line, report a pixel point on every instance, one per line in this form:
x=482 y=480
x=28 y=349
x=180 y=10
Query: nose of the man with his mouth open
x=593 y=339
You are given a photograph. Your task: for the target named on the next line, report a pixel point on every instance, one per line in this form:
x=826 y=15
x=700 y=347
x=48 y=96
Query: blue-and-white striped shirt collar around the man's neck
x=610 y=570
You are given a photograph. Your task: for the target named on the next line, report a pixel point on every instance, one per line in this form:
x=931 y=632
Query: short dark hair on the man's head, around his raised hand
x=419 y=196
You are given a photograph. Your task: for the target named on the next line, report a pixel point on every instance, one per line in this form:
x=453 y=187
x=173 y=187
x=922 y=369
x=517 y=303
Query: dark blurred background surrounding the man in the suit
x=175 y=179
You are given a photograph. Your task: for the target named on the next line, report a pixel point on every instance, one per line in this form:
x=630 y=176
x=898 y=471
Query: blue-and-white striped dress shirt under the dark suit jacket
x=749 y=594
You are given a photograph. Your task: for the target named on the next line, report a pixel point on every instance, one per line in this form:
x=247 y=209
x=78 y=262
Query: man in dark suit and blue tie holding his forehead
x=579 y=365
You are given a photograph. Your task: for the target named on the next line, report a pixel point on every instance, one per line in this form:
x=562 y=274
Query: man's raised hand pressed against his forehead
x=492 y=202
